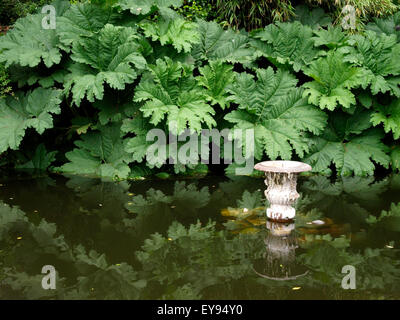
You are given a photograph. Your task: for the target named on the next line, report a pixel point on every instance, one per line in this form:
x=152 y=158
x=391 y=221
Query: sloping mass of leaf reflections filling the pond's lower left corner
x=25 y=255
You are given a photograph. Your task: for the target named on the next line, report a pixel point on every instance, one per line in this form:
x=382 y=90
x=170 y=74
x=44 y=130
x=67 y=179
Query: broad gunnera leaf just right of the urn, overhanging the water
x=350 y=144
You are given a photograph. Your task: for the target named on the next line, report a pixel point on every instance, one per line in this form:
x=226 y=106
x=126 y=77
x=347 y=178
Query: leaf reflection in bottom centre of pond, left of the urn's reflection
x=198 y=255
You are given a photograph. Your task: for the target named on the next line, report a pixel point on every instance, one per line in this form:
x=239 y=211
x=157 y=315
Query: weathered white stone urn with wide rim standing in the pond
x=281 y=181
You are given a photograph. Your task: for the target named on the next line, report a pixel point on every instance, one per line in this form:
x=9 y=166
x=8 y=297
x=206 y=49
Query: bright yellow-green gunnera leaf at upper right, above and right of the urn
x=333 y=79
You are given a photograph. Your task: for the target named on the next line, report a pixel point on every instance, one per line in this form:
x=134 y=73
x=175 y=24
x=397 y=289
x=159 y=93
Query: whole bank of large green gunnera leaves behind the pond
x=93 y=87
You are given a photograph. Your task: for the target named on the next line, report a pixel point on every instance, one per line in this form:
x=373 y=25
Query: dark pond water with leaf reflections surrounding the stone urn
x=197 y=239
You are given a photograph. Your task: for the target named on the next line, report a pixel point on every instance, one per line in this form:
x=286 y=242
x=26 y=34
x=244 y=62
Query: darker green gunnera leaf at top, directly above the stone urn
x=286 y=43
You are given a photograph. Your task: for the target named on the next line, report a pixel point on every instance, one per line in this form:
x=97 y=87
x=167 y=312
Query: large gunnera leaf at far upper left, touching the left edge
x=28 y=44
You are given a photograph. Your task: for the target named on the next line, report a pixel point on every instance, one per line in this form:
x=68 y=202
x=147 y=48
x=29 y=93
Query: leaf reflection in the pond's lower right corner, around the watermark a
x=376 y=268
